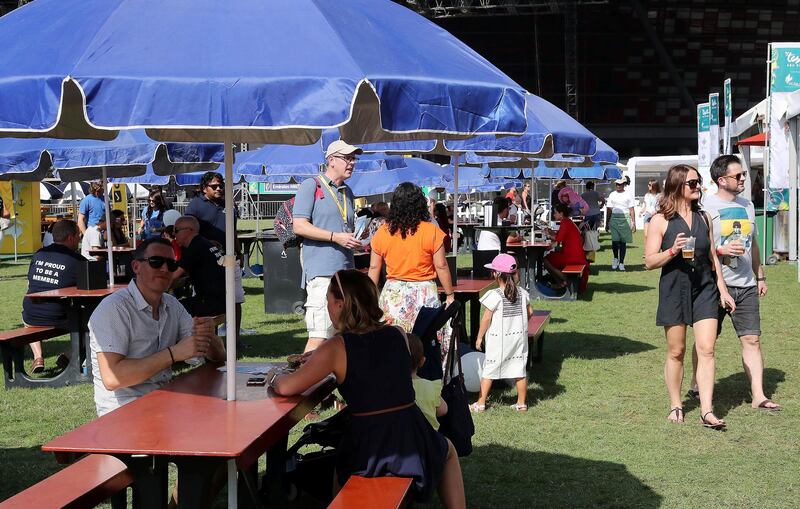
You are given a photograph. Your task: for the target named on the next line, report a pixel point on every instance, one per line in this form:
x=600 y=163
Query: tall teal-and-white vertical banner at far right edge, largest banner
x=784 y=79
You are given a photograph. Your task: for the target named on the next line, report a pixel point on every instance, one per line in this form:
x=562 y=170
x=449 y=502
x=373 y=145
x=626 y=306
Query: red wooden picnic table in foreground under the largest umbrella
x=188 y=422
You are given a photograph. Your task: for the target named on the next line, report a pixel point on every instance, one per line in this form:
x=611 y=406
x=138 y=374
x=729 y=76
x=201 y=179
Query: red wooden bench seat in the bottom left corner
x=83 y=484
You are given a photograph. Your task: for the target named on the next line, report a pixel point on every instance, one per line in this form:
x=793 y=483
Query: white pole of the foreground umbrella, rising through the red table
x=230 y=305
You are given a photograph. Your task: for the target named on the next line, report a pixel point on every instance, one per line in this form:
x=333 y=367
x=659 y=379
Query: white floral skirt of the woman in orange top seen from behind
x=402 y=300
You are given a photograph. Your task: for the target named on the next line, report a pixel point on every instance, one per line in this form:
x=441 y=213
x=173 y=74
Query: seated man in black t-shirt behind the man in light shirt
x=202 y=260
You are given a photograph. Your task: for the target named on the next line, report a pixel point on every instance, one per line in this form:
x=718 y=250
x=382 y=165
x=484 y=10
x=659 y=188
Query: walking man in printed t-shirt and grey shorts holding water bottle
x=734 y=231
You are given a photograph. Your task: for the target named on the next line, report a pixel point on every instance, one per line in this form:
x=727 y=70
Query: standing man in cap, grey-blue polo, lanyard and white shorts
x=323 y=216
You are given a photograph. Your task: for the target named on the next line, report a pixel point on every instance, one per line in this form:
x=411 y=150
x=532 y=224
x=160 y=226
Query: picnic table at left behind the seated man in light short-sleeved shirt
x=80 y=305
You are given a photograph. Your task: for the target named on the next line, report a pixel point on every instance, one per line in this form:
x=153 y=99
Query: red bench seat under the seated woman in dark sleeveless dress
x=373 y=493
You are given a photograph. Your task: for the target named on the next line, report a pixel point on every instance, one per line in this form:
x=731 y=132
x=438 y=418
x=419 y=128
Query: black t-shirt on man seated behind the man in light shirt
x=201 y=259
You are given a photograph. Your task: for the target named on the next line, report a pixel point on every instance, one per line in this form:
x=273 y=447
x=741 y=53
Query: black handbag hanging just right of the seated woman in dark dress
x=457 y=423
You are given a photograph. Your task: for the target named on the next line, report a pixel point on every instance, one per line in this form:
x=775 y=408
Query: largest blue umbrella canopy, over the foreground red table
x=287 y=69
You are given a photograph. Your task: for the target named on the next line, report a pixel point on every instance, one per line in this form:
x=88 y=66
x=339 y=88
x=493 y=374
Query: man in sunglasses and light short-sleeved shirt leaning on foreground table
x=139 y=332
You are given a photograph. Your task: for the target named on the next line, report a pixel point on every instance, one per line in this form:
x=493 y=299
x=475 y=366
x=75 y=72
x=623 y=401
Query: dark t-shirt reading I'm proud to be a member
x=52 y=267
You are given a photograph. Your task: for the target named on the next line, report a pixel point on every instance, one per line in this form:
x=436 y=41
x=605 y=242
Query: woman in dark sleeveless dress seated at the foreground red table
x=387 y=434
